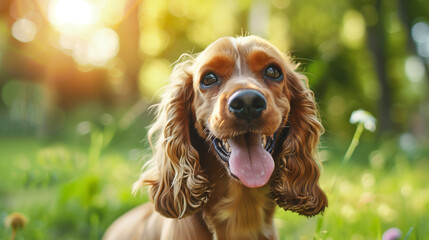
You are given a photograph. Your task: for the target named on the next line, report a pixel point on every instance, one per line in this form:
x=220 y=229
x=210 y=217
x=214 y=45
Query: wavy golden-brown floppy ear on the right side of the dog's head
x=295 y=187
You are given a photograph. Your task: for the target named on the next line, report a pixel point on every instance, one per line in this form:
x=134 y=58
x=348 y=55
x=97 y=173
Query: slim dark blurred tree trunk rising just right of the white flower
x=376 y=43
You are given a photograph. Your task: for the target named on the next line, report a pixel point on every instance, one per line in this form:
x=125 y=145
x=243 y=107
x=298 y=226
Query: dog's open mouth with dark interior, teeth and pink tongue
x=249 y=157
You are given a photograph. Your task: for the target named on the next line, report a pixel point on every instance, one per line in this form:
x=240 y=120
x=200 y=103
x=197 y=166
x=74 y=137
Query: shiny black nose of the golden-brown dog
x=247 y=104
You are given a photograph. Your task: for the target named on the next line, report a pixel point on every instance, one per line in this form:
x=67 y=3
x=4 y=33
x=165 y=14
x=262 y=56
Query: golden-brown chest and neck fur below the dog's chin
x=235 y=211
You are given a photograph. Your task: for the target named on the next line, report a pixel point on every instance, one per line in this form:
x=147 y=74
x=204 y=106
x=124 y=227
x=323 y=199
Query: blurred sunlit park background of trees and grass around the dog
x=77 y=77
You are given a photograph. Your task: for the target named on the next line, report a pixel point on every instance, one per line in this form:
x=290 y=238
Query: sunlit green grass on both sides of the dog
x=75 y=189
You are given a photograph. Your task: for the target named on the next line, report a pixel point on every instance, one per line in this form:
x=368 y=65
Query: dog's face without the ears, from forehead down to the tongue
x=241 y=102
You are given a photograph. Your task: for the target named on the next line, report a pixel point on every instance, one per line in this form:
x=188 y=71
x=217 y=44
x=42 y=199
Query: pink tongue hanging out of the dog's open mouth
x=249 y=161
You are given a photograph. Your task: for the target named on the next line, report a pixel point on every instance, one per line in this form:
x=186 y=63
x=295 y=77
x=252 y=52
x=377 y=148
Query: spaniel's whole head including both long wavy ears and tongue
x=244 y=98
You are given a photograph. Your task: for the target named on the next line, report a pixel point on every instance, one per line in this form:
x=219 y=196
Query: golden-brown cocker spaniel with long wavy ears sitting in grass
x=236 y=134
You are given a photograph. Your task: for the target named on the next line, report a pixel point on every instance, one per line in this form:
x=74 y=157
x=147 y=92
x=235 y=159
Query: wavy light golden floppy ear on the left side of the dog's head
x=177 y=185
